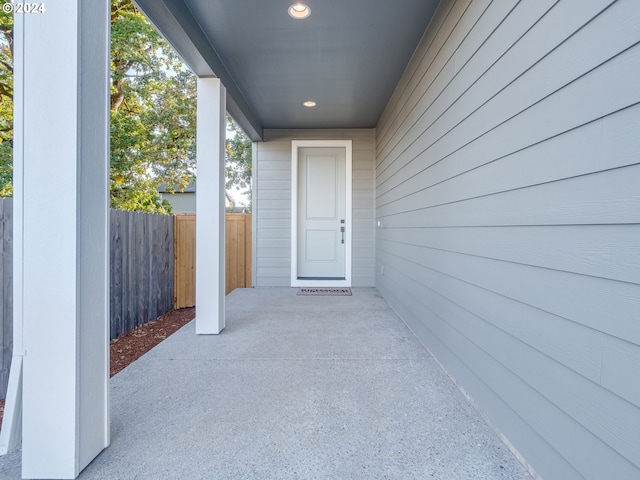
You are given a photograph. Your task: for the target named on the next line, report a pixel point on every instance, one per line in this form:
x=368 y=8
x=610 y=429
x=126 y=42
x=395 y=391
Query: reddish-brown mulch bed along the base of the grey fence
x=127 y=348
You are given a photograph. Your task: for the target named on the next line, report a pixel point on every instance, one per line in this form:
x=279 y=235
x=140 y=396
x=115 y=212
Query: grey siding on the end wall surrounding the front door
x=272 y=204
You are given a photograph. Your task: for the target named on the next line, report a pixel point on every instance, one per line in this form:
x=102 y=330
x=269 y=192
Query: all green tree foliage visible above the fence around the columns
x=153 y=116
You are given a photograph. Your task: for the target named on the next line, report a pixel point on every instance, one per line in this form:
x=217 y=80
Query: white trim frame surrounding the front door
x=295 y=146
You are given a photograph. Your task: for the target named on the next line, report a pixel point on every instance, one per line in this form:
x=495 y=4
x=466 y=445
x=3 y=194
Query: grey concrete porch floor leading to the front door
x=295 y=387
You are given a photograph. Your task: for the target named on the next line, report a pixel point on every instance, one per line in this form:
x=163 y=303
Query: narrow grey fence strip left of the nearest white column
x=6 y=291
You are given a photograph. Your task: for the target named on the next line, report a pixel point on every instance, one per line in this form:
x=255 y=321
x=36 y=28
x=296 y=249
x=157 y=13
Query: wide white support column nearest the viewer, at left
x=62 y=255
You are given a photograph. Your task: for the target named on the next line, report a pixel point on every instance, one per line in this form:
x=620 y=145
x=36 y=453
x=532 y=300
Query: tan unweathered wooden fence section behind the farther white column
x=237 y=261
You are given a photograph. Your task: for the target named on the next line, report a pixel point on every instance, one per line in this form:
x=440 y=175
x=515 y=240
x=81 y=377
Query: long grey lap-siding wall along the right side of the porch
x=507 y=176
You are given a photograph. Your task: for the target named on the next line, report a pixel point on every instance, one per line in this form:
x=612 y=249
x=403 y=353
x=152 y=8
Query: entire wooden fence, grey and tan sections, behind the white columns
x=142 y=269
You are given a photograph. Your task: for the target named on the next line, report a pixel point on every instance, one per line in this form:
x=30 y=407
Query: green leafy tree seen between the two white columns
x=153 y=112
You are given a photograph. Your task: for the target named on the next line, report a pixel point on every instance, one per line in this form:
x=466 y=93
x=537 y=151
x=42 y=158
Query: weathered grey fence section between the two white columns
x=141 y=269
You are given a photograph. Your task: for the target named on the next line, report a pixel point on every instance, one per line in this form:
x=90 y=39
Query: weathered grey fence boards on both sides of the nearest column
x=141 y=274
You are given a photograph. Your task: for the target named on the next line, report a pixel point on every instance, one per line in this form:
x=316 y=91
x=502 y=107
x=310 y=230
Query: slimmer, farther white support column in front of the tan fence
x=210 y=219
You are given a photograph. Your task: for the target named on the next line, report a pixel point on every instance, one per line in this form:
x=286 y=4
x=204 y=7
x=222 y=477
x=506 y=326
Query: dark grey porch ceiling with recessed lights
x=347 y=56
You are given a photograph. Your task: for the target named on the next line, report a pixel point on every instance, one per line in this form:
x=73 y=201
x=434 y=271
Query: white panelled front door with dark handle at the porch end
x=322 y=217
